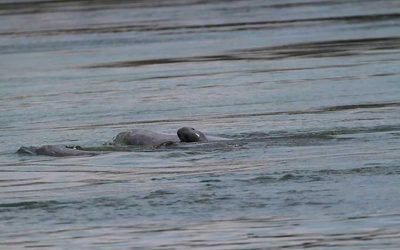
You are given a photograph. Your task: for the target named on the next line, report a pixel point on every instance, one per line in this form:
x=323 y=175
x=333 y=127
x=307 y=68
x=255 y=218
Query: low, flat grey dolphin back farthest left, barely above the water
x=55 y=150
